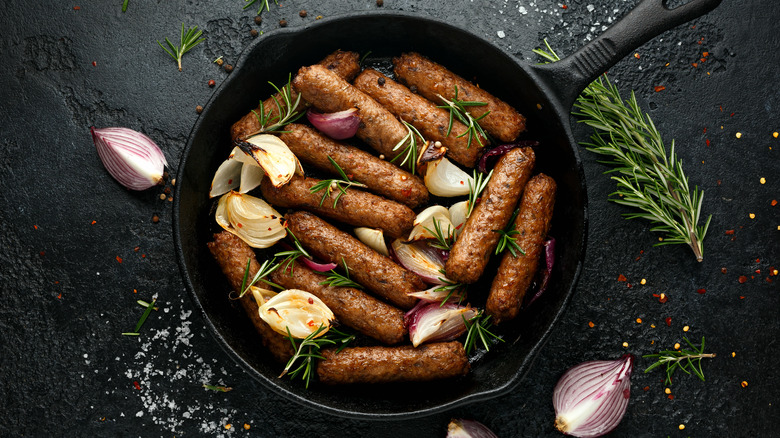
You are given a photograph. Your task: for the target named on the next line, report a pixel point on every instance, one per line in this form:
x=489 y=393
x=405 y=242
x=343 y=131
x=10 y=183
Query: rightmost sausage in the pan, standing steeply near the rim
x=516 y=273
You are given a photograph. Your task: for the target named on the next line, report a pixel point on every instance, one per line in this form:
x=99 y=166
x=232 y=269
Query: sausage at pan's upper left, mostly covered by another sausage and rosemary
x=344 y=64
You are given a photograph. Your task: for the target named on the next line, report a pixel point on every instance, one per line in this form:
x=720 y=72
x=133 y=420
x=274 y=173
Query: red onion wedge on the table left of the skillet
x=131 y=157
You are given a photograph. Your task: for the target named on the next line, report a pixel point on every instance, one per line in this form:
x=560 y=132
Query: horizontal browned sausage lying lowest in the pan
x=393 y=364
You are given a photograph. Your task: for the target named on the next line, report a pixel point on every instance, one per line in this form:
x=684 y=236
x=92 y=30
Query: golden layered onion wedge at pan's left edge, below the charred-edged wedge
x=251 y=219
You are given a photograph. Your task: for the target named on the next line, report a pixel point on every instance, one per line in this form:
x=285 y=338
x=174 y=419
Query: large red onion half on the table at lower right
x=591 y=398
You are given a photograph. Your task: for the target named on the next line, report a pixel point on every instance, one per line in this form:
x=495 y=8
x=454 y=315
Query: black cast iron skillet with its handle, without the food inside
x=543 y=93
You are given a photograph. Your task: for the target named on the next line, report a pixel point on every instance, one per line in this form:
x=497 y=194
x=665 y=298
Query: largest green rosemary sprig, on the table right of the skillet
x=649 y=179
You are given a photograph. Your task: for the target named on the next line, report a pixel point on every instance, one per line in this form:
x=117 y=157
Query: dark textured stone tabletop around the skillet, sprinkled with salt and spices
x=65 y=224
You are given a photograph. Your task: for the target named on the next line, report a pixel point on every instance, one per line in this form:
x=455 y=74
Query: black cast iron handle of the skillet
x=569 y=76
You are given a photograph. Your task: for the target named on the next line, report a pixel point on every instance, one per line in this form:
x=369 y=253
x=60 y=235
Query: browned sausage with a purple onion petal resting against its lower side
x=330 y=93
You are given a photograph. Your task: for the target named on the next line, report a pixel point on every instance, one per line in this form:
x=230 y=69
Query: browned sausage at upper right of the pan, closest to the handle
x=432 y=79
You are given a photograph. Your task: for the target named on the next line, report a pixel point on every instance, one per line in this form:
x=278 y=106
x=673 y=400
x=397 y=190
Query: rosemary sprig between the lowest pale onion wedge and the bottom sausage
x=309 y=350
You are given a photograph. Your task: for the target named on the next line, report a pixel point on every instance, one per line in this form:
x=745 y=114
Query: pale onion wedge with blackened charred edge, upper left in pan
x=273 y=155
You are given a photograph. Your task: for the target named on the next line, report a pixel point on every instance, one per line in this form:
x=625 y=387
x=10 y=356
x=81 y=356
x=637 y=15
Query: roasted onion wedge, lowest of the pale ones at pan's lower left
x=298 y=311
